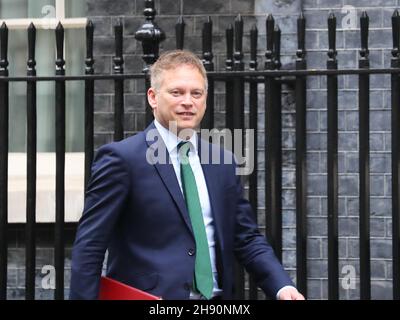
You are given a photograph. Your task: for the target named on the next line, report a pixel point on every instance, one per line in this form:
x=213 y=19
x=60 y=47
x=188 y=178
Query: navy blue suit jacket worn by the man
x=136 y=210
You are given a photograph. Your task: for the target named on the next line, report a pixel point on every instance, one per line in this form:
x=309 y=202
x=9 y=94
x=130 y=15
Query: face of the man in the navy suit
x=181 y=97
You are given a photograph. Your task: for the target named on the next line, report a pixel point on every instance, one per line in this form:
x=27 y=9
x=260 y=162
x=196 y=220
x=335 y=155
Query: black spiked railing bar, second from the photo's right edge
x=363 y=98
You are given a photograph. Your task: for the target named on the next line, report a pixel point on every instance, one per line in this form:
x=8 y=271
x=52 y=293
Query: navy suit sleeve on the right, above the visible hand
x=253 y=250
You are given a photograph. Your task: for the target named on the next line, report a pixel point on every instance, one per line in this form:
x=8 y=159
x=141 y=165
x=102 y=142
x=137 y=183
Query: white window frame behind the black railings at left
x=45 y=179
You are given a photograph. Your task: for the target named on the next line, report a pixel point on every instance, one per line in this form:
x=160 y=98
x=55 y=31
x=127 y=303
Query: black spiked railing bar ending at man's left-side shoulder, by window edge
x=89 y=103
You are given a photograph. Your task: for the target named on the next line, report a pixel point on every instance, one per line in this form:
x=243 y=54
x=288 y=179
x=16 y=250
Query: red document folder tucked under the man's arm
x=111 y=289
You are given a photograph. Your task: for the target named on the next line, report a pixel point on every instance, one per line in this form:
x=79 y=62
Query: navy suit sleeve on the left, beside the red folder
x=105 y=199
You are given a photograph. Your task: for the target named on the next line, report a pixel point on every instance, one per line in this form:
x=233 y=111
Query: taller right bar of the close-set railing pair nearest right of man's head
x=238 y=123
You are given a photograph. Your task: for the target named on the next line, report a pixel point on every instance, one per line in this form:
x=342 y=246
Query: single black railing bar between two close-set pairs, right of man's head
x=253 y=118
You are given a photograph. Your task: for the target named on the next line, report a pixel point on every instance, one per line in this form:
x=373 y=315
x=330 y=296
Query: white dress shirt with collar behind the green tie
x=171 y=142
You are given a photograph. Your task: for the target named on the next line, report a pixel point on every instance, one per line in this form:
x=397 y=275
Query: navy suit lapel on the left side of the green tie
x=167 y=173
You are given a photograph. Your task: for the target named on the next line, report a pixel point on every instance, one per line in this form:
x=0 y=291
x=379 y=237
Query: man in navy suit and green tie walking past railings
x=172 y=224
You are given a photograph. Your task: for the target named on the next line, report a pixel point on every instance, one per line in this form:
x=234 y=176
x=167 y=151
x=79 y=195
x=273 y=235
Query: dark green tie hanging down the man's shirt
x=203 y=280
